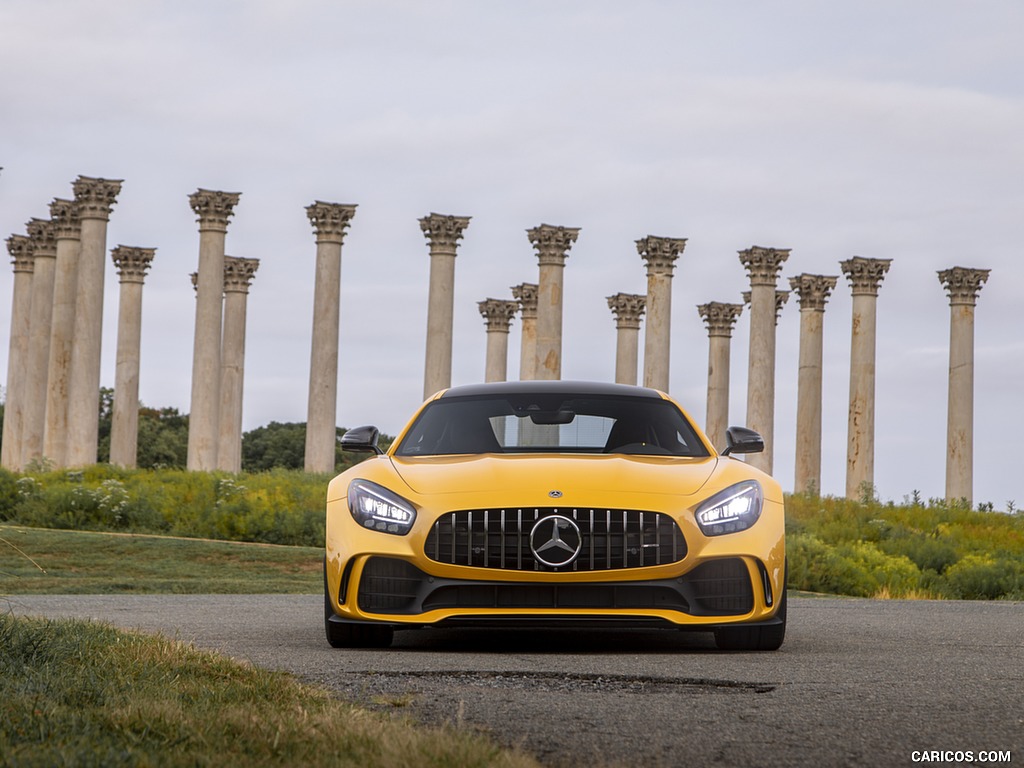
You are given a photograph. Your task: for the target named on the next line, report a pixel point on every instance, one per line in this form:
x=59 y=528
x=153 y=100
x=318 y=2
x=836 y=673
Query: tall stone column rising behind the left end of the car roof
x=444 y=234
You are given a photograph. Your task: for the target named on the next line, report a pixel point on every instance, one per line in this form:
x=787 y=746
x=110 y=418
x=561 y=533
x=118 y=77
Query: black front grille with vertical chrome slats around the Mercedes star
x=611 y=539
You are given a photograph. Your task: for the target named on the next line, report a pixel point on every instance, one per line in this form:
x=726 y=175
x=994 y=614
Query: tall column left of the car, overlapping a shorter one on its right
x=214 y=210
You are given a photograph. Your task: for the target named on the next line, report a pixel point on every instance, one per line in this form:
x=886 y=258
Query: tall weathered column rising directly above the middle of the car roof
x=552 y=244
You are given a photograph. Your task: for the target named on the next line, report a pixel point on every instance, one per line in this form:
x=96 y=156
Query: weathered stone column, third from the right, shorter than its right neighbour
x=814 y=292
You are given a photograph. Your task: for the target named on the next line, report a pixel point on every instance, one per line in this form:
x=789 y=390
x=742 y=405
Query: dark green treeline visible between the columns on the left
x=163 y=441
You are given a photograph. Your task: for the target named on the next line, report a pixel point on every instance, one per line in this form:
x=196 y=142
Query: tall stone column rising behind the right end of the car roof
x=660 y=255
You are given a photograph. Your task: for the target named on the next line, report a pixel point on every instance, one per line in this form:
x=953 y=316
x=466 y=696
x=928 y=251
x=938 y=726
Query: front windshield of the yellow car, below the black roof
x=551 y=423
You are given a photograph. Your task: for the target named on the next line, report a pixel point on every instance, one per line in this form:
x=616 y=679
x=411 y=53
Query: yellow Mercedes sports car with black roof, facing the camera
x=554 y=503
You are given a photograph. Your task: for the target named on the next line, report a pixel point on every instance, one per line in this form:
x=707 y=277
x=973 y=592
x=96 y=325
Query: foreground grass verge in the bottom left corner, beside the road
x=87 y=695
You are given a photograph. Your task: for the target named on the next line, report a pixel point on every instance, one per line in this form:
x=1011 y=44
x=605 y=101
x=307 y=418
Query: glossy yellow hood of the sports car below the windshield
x=530 y=480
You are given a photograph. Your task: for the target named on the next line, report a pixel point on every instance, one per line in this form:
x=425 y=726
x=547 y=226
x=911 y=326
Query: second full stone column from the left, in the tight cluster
x=45 y=271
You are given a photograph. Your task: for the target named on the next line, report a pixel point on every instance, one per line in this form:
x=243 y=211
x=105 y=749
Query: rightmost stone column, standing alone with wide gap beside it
x=963 y=286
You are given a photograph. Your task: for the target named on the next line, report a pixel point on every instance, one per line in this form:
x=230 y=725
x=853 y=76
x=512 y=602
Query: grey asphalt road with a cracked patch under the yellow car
x=859 y=682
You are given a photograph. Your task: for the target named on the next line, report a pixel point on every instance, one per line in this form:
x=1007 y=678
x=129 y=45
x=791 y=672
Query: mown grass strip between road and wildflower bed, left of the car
x=49 y=562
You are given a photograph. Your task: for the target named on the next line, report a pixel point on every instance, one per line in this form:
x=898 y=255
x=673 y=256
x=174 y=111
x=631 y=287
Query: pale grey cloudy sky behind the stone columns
x=877 y=129
